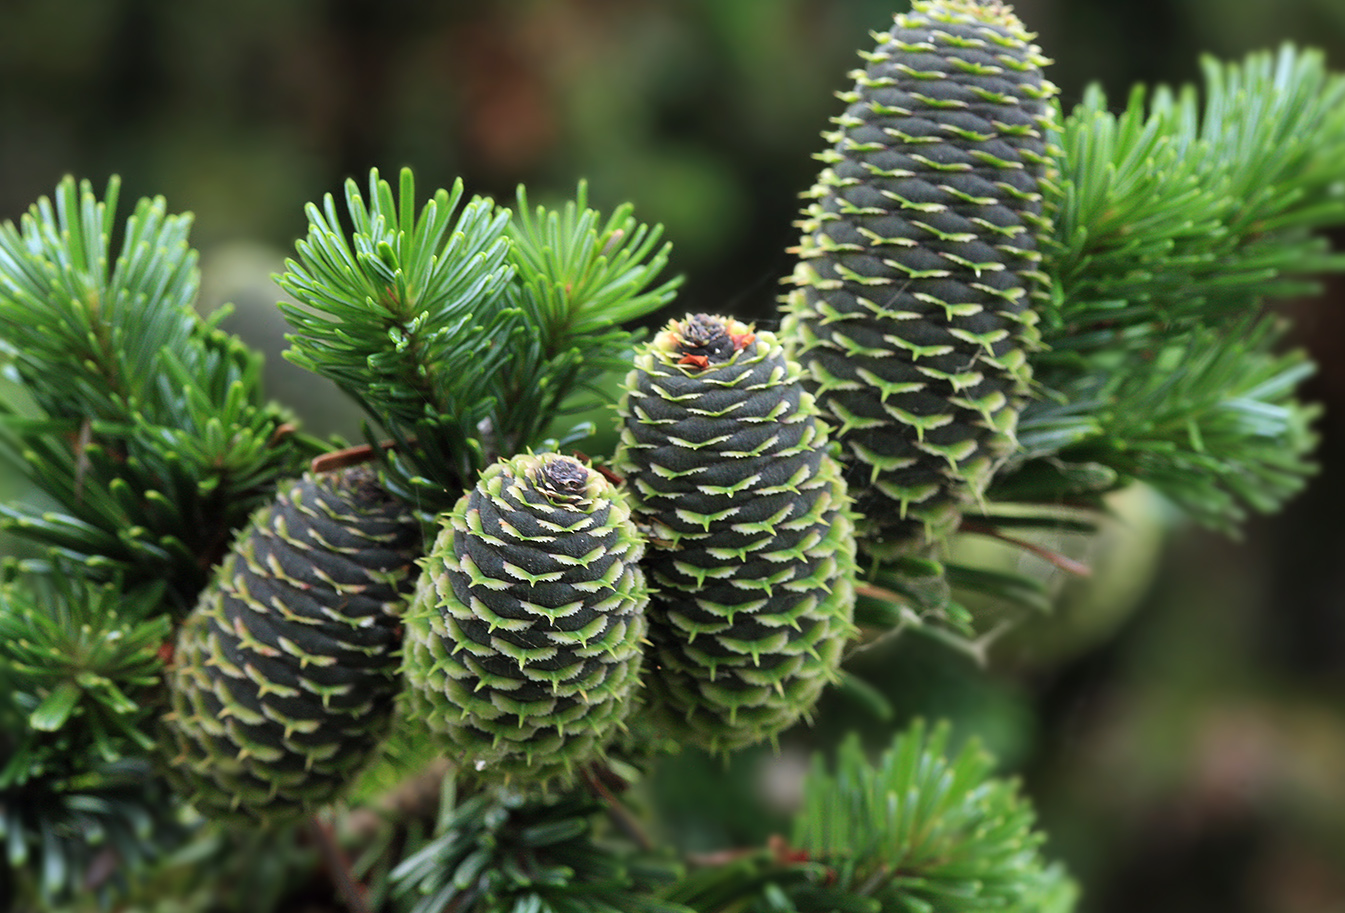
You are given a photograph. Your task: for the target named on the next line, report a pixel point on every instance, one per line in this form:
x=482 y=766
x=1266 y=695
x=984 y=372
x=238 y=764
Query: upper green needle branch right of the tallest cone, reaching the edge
x=1178 y=214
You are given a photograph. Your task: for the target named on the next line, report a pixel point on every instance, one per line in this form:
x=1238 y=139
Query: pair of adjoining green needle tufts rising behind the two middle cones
x=465 y=334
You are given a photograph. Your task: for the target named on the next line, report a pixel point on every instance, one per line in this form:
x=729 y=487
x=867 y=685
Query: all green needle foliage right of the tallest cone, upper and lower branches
x=1175 y=220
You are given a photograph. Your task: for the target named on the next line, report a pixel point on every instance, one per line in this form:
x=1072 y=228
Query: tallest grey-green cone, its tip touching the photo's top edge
x=919 y=266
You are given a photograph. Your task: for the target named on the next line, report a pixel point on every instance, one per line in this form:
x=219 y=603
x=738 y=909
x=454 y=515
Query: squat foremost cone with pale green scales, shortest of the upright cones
x=524 y=641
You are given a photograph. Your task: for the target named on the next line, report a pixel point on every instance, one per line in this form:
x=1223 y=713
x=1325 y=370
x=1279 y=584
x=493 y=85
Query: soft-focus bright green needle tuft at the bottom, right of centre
x=918 y=832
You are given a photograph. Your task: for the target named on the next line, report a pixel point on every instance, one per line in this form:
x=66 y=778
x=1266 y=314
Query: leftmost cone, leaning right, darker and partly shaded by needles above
x=284 y=676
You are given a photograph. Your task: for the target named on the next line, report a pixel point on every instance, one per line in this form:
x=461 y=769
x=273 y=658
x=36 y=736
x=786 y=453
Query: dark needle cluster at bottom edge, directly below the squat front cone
x=505 y=855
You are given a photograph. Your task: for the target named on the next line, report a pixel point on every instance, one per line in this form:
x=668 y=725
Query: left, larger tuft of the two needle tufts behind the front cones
x=407 y=314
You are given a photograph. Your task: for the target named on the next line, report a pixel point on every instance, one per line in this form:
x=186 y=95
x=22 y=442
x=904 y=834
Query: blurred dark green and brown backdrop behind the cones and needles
x=1182 y=724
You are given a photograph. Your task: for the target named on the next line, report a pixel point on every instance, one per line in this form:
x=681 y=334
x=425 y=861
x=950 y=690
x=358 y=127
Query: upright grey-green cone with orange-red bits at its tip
x=753 y=565
